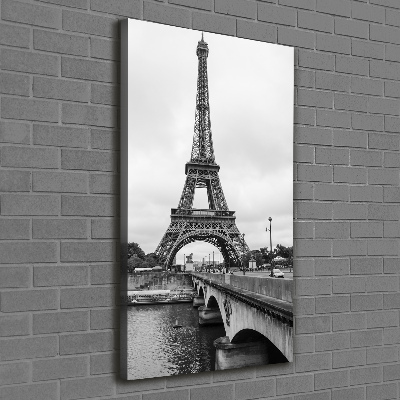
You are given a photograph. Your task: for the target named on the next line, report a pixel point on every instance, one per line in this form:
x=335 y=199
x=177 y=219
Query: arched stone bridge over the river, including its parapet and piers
x=257 y=313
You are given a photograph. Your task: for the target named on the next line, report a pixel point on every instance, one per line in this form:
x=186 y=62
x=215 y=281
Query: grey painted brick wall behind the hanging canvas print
x=59 y=193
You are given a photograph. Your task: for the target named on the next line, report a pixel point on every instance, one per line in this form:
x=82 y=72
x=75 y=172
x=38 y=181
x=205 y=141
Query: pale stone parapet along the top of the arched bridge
x=280 y=289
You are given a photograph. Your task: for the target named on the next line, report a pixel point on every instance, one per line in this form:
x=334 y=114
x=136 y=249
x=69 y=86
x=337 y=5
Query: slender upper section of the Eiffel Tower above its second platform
x=202 y=148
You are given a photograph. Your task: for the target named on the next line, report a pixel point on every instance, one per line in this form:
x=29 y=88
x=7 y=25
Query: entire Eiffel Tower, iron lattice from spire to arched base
x=215 y=225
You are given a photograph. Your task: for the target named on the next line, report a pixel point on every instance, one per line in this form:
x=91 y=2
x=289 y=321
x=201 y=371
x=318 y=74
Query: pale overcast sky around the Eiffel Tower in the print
x=251 y=108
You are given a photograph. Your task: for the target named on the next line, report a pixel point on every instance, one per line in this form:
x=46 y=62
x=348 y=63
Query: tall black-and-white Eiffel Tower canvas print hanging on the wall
x=206 y=201
